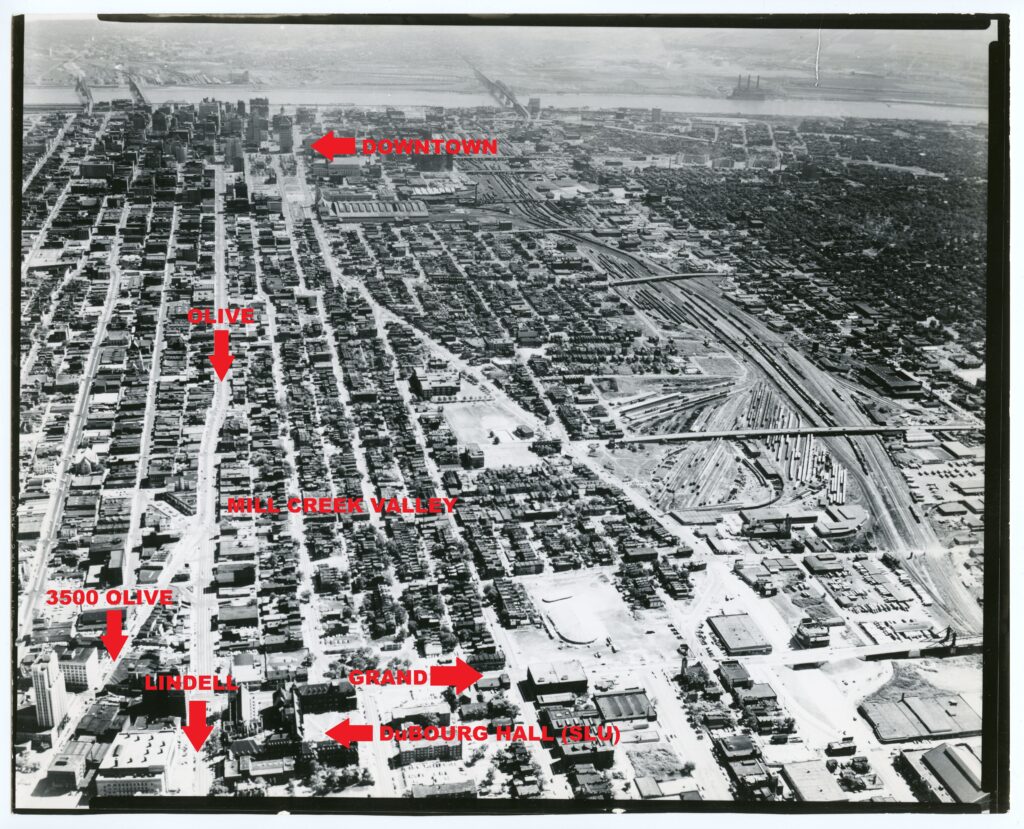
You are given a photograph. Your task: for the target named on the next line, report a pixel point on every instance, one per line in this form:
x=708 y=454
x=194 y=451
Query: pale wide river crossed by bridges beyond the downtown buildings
x=411 y=98
